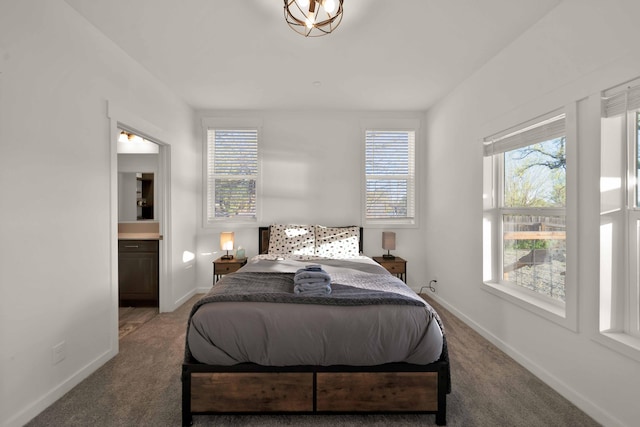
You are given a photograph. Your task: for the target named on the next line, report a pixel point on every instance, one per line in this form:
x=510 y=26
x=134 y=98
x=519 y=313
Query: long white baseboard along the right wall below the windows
x=586 y=405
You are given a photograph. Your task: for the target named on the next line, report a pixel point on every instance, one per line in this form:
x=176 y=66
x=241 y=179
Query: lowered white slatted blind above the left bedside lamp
x=232 y=171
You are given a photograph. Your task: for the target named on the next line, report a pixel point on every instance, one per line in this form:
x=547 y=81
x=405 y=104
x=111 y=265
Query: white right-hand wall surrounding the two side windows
x=580 y=48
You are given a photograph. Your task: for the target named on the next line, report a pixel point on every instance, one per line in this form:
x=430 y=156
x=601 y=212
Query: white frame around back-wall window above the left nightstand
x=212 y=124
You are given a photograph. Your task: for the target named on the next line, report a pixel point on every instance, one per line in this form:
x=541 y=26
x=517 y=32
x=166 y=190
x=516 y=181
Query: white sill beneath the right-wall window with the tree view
x=552 y=312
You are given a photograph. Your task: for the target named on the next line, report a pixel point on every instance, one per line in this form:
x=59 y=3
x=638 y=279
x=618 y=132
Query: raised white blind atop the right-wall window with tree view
x=542 y=129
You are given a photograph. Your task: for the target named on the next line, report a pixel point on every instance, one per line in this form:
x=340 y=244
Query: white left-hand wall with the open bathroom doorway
x=57 y=74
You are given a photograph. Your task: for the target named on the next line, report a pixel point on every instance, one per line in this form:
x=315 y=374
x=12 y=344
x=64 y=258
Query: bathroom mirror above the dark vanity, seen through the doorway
x=135 y=196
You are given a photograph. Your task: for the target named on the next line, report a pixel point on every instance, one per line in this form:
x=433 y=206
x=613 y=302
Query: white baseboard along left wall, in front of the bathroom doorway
x=35 y=408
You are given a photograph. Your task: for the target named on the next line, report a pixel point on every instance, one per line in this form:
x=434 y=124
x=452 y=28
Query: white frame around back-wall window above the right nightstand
x=392 y=125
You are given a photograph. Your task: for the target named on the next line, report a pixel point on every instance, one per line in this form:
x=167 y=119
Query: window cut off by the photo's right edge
x=620 y=216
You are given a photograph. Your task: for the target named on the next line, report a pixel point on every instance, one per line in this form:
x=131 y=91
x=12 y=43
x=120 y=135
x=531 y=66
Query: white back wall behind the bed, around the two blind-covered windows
x=311 y=164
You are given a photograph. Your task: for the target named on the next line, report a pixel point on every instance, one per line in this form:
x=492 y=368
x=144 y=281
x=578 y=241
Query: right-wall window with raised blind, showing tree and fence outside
x=525 y=231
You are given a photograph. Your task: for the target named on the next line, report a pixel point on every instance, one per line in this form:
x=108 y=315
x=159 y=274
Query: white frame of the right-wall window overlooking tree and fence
x=564 y=314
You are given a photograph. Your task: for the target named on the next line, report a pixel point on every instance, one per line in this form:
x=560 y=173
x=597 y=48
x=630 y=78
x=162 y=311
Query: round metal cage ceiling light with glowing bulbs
x=313 y=18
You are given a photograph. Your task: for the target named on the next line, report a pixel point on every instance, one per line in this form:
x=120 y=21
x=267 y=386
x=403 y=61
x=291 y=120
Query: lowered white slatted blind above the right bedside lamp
x=390 y=174
